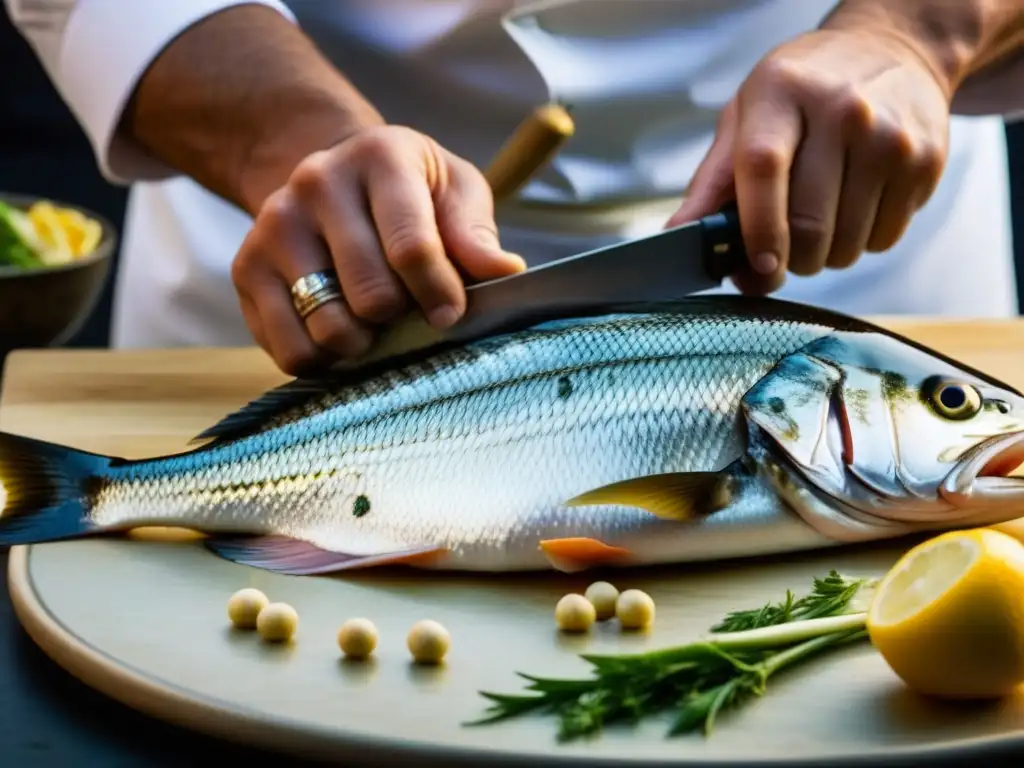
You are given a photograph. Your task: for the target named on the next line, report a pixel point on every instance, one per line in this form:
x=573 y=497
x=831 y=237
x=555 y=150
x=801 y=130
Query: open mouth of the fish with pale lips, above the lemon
x=984 y=475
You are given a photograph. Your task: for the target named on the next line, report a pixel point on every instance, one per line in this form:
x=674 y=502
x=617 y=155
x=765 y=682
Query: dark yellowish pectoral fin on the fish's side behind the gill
x=674 y=496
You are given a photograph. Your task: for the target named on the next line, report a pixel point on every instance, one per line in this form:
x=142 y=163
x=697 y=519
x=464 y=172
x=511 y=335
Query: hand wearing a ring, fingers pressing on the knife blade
x=400 y=219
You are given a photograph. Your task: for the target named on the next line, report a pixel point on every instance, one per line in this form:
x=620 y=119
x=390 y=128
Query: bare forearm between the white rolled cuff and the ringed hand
x=238 y=100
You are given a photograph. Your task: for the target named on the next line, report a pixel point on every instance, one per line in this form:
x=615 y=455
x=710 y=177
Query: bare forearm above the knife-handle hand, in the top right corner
x=962 y=40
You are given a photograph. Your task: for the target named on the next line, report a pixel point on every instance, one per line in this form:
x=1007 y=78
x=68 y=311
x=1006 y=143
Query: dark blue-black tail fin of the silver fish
x=46 y=490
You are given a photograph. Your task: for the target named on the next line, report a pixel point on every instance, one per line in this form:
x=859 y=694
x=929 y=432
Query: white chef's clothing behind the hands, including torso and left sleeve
x=646 y=80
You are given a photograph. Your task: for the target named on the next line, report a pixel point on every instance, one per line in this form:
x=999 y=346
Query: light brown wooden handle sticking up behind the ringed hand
x=534 y=143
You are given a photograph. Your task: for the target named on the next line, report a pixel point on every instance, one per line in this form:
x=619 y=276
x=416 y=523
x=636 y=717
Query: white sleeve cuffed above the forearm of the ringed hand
x=95 y=53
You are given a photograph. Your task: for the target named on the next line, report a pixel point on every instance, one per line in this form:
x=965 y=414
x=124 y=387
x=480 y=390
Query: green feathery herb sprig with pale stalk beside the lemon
x=698 y=681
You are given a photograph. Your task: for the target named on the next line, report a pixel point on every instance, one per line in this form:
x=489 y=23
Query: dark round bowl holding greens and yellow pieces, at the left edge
x=46 y=307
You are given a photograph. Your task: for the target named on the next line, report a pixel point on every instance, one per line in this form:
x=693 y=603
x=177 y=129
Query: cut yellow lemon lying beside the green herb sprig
x=949 y=618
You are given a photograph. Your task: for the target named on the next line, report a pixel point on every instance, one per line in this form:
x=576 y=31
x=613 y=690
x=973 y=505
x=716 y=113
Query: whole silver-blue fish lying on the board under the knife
x=708 y=429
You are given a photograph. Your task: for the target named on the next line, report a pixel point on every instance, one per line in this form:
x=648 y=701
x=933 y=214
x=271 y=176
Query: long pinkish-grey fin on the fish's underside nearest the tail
x=296 y=558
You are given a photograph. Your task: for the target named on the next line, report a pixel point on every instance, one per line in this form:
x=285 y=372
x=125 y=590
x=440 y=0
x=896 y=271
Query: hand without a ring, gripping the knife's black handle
x=829 y=148
